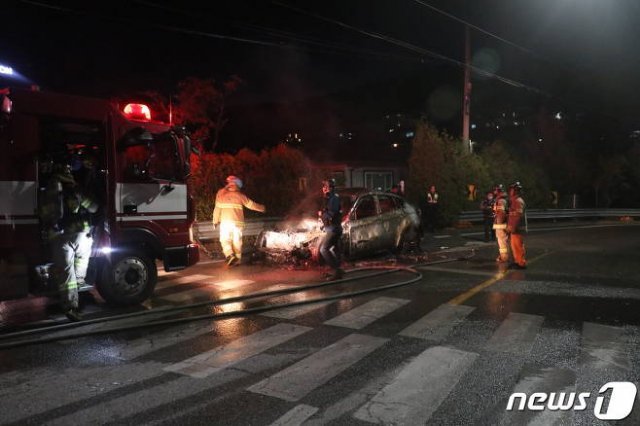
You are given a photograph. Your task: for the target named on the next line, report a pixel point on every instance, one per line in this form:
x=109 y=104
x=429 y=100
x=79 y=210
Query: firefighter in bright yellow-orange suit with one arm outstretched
x=229 y=213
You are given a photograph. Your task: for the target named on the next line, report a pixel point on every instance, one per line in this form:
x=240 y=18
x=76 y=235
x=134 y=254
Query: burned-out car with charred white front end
x=372 y=222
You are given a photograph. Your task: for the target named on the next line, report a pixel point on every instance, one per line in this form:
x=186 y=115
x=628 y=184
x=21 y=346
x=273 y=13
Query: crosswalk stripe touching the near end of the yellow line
x=437 y=325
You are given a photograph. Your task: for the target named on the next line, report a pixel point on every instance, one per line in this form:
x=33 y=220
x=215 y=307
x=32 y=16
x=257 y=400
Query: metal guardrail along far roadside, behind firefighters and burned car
x=205 y=232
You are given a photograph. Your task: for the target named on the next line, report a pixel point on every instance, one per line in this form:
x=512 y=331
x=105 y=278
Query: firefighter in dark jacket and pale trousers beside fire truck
x=66 y=214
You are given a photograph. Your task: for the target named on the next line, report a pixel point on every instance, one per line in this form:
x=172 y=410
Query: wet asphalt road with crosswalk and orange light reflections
x=449 y=349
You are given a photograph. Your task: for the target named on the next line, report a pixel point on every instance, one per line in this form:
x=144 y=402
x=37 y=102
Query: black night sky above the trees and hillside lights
x=296 y=56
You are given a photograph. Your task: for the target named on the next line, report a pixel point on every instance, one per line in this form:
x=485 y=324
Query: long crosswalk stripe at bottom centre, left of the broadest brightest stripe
x=298 y=380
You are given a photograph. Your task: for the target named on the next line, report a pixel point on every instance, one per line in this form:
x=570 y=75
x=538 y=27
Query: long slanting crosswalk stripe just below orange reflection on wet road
x=222 y=357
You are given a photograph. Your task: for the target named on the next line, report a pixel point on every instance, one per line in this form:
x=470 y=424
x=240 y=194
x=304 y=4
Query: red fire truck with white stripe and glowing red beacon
x=141 y=166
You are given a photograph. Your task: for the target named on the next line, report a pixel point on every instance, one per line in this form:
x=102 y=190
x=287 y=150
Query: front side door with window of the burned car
x=364 y=229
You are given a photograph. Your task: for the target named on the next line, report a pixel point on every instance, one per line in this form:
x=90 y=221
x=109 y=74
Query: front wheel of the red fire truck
x=129 y=279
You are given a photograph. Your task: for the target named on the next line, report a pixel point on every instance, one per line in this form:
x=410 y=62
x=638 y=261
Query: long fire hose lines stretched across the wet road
x=26 y=337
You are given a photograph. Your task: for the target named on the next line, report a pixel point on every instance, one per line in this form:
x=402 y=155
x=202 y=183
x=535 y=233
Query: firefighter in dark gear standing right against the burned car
x=331 y=217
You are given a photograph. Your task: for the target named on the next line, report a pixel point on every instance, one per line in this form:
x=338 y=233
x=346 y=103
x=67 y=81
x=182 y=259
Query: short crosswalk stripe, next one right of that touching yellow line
x=516 y=334
